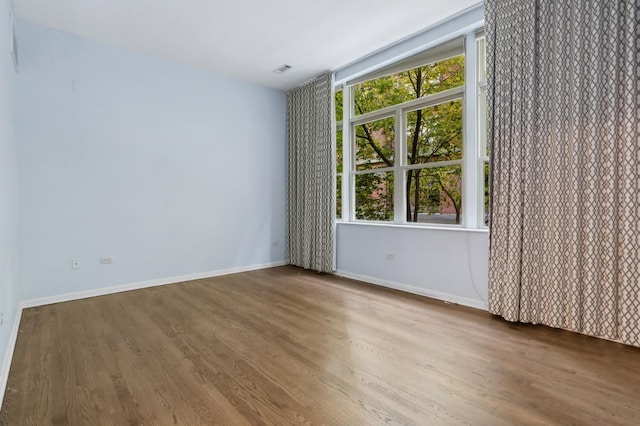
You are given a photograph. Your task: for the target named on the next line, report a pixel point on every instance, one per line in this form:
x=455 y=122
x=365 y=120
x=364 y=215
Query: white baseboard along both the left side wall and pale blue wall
x=8 y=356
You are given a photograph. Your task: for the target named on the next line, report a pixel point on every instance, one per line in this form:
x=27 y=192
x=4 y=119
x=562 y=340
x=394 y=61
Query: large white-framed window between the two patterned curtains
x=406 y=147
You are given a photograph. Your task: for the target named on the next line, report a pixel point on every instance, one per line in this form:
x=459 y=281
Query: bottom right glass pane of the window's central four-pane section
x=434 y=195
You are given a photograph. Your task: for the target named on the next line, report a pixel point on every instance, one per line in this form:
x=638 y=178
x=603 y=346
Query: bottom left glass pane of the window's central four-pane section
x=374 y=196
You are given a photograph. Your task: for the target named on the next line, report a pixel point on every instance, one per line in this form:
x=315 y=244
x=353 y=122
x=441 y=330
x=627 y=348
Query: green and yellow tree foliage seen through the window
x=433 y=134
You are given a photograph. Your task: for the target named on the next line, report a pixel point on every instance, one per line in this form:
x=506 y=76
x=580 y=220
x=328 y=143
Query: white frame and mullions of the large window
x=473 y=137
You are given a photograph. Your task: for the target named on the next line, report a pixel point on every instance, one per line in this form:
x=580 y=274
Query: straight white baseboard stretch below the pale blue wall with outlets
x=142 y=284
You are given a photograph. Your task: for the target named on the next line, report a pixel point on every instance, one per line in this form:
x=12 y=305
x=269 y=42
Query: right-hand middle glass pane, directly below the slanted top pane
x=435 y=133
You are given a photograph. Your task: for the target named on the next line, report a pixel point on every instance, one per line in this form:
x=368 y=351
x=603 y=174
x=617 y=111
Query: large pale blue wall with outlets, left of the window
x=168 y=169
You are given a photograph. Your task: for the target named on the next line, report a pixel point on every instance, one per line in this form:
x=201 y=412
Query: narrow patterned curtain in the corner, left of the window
x=311 y=202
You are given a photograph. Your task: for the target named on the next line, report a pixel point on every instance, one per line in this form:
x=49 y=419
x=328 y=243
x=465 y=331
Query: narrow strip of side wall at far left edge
x=8 y=196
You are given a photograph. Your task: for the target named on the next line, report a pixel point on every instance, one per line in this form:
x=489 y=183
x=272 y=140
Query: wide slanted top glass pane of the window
x=407 y=85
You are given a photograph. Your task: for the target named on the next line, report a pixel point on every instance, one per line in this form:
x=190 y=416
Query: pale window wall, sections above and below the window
x=449 y=264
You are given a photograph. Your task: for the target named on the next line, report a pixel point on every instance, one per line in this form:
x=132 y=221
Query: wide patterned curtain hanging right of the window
x=564 y=96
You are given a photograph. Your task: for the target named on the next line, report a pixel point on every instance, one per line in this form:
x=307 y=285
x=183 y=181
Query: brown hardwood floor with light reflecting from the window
x=287 y=346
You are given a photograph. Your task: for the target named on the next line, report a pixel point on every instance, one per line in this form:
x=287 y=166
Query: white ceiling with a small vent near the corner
x=246 y=38
